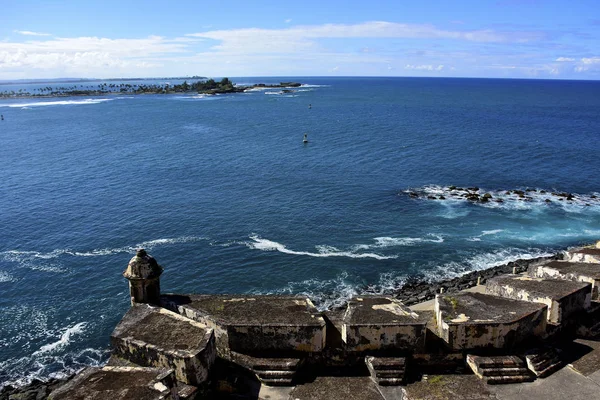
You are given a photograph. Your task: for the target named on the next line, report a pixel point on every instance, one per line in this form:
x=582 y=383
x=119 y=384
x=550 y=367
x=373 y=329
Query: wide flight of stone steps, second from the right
x=499 y=370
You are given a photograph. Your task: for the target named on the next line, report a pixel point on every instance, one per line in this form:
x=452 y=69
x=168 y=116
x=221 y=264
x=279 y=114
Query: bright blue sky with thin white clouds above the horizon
x=545 y=39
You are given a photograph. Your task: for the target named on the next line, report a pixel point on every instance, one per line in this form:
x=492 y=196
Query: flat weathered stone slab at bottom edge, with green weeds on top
x=448 y=387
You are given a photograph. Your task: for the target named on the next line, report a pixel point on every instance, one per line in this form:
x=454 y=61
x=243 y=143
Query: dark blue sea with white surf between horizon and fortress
x=224 y=194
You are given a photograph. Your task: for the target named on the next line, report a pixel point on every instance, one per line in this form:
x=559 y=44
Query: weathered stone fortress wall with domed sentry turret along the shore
x=504 y=328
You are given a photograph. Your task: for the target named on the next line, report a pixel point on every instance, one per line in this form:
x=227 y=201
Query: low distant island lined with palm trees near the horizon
x=209 y=86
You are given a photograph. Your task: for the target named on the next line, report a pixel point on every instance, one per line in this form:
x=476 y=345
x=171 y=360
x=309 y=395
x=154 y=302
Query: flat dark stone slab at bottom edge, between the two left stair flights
x=334 y=387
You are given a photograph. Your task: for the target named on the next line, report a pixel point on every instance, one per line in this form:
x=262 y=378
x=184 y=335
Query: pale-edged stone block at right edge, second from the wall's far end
x=569 y=271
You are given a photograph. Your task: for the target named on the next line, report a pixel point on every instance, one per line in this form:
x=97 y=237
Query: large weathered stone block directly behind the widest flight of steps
x=474 y=320
